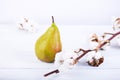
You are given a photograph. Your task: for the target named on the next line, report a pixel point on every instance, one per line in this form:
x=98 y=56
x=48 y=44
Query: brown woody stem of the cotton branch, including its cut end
x=87 y=51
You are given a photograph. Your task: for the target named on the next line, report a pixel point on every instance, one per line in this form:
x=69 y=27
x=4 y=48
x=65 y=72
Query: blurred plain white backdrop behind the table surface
x=72 y=12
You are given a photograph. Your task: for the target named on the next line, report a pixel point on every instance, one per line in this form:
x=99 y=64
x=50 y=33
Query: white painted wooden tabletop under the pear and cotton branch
x=18 y=60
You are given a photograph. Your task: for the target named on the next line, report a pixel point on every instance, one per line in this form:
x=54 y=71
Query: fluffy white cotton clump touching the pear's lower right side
x=65 y=60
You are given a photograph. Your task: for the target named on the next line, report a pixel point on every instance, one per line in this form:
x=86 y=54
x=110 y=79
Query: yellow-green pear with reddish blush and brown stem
x=48 y=44
